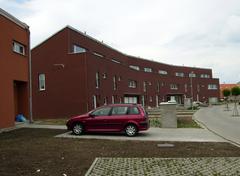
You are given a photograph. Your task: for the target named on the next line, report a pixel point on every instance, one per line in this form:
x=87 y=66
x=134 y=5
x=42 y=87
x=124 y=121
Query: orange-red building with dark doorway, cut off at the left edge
x=14 y=69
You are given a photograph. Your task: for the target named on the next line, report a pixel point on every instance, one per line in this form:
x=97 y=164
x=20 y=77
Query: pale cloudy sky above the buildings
x=195 y=33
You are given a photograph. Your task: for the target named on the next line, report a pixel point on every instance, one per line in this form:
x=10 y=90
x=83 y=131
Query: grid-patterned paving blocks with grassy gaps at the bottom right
x=213 y=166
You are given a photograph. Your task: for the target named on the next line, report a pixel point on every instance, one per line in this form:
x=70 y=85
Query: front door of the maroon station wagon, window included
x=97 y=120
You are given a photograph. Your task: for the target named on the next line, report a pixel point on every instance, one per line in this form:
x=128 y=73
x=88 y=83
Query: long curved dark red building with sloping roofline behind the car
x=74 y=73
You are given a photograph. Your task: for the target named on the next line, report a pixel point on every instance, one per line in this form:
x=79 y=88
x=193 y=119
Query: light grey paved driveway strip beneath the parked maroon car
x=157 y=134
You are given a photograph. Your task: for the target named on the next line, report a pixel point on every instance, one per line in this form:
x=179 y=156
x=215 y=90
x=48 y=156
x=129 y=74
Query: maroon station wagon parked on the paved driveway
x=128 y=118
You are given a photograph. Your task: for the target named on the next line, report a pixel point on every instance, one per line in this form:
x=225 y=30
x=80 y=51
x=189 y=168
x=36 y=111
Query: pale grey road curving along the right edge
x=221 y=122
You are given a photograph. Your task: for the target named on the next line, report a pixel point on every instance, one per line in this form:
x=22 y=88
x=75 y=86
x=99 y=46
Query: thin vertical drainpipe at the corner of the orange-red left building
x=30 y=81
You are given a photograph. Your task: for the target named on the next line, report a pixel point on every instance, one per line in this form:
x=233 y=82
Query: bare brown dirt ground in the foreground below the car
x=36 y=152
